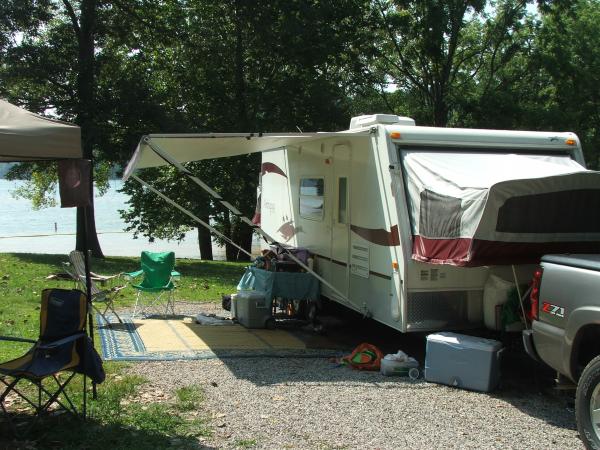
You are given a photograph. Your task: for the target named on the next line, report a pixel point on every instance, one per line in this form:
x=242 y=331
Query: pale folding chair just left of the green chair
x=105 y=296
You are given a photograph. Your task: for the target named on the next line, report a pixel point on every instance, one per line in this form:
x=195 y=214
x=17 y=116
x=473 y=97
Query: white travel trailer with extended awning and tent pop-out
x=406 y=223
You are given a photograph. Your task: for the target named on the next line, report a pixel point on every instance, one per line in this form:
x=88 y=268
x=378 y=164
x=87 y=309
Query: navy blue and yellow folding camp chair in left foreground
x=62 y=346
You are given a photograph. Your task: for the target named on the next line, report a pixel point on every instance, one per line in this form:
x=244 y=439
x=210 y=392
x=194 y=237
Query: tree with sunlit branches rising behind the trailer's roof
x=435 y=52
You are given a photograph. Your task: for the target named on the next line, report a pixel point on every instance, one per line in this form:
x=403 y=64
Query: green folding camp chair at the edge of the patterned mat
x=158 y=271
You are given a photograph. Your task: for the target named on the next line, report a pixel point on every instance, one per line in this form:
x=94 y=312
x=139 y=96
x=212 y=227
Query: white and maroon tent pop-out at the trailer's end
x=474 y=208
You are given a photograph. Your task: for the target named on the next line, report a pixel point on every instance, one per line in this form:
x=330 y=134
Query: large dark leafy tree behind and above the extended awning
x=249 y=66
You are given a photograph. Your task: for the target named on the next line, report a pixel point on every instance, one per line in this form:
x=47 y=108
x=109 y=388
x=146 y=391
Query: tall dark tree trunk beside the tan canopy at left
x=84 y=30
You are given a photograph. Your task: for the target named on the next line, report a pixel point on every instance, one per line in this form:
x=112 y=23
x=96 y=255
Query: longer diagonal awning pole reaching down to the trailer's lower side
x=169 y=159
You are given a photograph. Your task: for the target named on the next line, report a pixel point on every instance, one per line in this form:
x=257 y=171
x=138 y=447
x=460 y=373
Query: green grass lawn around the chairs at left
x=124 y=416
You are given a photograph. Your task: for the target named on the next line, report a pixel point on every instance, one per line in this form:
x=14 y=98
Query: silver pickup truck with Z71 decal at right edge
x=565 y=331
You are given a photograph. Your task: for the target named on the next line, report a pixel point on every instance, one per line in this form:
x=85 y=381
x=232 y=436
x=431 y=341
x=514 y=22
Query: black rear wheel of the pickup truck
x=587 y=404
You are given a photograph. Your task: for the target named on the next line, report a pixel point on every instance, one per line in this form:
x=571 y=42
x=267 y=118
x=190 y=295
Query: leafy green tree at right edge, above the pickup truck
x=568 y=59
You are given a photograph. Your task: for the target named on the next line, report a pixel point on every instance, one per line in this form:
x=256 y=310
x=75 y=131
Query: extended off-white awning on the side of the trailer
x=196 y=147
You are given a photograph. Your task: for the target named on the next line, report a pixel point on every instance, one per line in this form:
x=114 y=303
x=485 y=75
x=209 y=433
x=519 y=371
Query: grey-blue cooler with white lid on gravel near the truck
x=463 y=361
